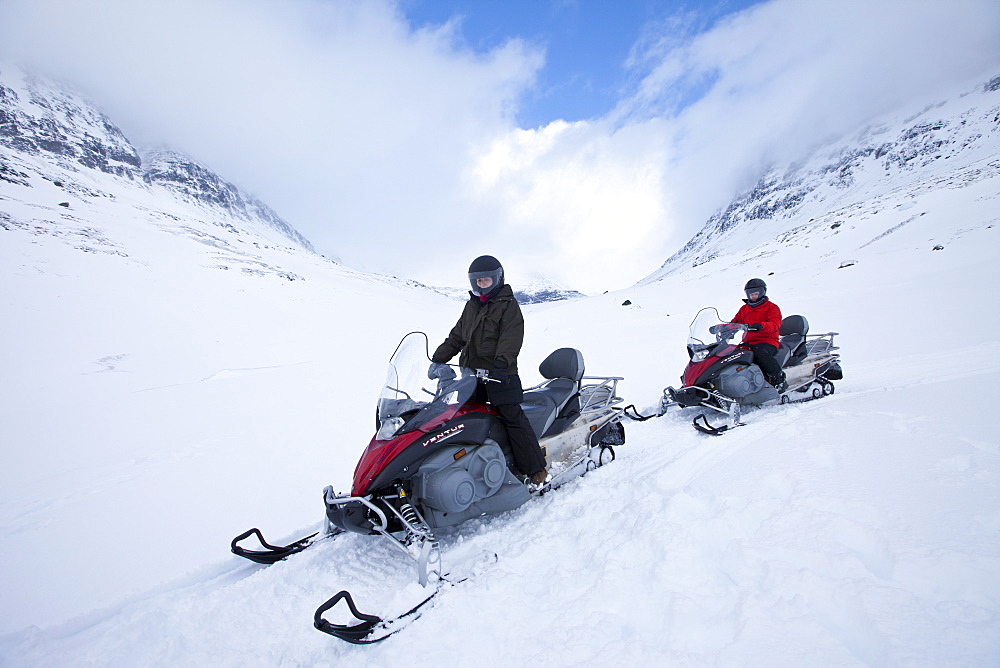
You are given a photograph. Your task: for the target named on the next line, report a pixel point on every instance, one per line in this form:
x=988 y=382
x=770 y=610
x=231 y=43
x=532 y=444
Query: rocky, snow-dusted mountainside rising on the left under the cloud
x=56 y=147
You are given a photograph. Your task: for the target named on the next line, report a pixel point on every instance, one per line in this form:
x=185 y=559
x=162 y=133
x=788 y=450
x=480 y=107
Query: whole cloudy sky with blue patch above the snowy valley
x=586 y=141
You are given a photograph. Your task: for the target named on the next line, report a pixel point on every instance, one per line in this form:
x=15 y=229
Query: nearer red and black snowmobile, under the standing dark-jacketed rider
x=440 y=458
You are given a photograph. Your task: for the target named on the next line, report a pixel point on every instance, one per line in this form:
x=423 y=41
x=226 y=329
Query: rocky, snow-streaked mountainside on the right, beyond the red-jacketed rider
x=839 y=190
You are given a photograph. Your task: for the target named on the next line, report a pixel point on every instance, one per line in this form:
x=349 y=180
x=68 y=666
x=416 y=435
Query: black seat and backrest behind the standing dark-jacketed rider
x=554 y=398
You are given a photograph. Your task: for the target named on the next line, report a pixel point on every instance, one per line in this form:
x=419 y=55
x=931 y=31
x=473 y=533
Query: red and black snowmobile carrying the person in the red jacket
x=722 y=376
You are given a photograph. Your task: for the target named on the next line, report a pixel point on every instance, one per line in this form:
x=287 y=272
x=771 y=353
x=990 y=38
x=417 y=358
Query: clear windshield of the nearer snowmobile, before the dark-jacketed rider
x=409 y=399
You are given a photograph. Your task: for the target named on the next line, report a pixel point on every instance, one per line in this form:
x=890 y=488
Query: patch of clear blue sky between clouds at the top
x=587 y=43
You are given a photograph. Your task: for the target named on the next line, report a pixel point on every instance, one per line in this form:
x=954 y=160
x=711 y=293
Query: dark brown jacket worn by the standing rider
x=486 y=333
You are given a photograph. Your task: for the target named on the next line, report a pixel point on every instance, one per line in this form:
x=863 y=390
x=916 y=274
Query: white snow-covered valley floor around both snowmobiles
x=154 y=405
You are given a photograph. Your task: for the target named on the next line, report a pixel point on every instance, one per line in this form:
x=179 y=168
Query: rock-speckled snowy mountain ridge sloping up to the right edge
x=889 y=154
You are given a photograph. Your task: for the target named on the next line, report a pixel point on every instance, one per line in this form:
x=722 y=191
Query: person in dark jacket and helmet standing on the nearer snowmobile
x=488 y=336
